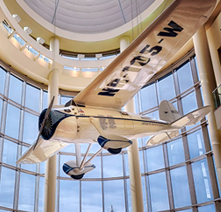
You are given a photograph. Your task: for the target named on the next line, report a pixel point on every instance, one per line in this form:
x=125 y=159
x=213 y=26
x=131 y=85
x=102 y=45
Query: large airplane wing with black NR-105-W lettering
x=147 y=54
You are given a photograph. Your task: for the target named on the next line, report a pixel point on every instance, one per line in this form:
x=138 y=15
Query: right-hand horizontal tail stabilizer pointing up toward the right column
x=192 y=117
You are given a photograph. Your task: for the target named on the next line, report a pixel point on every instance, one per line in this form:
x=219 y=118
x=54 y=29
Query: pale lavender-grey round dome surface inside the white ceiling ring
x=88 y=16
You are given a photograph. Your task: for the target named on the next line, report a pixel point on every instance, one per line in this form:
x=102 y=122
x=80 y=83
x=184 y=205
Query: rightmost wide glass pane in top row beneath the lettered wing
x=185 y=77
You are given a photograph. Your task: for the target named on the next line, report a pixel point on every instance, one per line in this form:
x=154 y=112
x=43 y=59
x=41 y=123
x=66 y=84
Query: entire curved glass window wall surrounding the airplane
x=177 y=175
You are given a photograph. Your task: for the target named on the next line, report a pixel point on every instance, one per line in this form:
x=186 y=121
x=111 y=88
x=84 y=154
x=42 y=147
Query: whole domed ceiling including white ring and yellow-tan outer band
x=87 y=26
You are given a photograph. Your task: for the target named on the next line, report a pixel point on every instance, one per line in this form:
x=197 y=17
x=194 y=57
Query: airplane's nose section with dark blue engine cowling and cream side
x=58 y=125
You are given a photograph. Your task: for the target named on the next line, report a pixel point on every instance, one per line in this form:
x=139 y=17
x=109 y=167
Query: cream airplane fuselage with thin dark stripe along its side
x=86 y=124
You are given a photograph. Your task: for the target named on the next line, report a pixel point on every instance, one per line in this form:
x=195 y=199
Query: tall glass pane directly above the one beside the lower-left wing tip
x=12 y=121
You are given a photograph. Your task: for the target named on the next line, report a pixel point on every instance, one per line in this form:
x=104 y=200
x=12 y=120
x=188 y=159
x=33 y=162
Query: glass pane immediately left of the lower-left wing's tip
x=9 y=153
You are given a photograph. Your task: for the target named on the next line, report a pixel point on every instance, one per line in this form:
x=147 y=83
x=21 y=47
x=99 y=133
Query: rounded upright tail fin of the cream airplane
x=167 y=112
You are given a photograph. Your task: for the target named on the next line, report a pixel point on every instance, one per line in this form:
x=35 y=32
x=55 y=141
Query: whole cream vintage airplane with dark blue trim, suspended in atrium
x=95 y=116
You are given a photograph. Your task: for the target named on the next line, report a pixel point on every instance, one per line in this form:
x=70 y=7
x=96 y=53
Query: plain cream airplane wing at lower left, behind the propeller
x=42 y=151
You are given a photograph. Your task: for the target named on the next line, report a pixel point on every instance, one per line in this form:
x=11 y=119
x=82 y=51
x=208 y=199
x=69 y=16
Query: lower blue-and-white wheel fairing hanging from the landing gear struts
x=71 y=169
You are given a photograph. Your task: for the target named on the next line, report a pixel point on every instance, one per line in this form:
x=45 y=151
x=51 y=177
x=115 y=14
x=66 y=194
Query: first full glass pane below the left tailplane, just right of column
x=155 y=159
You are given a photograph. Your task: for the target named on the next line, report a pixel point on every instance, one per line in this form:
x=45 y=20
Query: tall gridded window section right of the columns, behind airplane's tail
x=180 y=172
